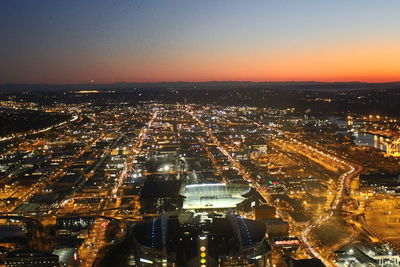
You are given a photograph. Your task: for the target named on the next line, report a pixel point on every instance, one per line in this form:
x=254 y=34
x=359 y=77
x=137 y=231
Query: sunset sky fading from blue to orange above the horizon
x=74 y=41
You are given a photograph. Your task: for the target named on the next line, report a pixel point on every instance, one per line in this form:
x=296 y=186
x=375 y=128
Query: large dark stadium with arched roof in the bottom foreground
x=187 y=239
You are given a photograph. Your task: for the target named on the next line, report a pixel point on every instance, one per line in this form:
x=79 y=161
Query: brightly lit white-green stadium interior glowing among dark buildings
x=213 y=196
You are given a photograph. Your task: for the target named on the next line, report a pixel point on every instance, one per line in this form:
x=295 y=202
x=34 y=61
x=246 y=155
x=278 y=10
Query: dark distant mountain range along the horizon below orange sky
x=311 y=85
